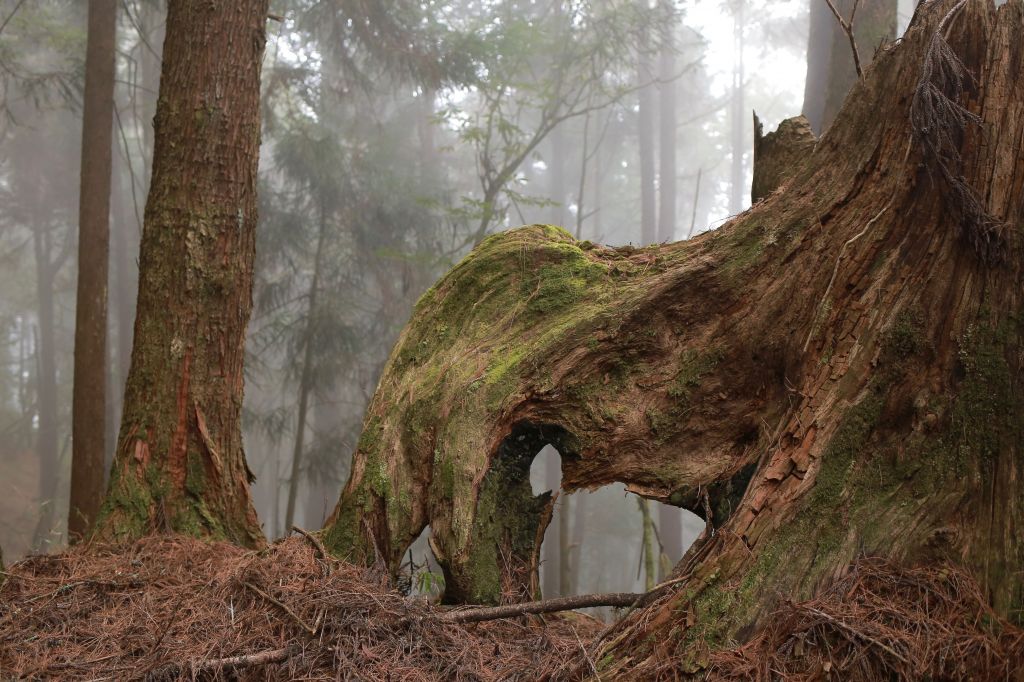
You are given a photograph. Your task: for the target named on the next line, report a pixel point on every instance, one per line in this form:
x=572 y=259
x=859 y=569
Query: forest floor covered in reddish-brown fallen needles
x=172 y=608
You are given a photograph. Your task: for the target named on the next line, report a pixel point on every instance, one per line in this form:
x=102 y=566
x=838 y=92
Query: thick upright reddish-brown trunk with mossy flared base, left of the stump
x=180 y=464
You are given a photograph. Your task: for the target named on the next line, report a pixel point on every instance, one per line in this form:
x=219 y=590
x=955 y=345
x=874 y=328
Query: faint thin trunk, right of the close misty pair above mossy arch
x=667 y=125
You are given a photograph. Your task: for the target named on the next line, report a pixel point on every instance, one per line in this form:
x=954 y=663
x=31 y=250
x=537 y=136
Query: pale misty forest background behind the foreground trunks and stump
x=396 y=137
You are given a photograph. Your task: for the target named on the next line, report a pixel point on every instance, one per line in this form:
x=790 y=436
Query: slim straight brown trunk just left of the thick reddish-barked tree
x=90 y=395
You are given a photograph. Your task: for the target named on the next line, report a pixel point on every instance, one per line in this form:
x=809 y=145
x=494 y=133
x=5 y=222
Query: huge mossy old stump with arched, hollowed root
x=838 y=370
